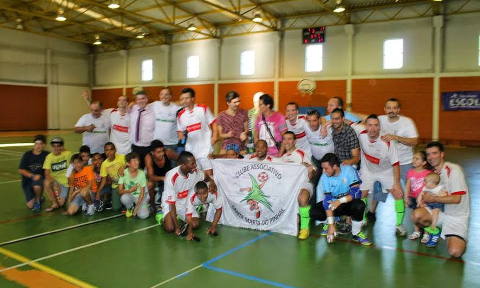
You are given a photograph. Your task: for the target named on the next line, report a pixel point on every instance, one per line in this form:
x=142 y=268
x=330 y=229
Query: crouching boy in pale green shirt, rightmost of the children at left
x=131 y=187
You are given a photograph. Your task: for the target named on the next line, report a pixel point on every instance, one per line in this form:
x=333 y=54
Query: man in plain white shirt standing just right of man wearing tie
x=166 y=119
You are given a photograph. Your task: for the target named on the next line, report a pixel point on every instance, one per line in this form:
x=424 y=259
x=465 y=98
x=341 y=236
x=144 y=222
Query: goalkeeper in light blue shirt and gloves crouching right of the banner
x=341 y=186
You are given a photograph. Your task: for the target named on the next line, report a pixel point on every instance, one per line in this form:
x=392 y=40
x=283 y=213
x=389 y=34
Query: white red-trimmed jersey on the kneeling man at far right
x=453 y=179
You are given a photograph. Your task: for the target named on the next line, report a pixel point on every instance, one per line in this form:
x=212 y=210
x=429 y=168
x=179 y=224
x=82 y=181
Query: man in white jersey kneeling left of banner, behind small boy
x=178 y=183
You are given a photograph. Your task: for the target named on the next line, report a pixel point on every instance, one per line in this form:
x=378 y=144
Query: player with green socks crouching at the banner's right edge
x=295 y=155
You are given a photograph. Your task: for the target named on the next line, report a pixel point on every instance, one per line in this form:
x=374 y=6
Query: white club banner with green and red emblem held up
x=259 y=195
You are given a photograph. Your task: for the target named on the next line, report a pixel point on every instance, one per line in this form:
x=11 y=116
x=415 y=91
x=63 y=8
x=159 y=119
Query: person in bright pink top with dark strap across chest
x=270 y=125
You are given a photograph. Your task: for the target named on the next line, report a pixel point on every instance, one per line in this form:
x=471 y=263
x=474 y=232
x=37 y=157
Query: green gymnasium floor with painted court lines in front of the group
x=107 y=250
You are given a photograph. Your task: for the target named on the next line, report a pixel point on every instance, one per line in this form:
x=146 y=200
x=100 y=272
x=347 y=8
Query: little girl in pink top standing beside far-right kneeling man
x=414 y=184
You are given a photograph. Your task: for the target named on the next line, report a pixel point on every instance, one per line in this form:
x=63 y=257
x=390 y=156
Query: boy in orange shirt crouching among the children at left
x=82 y=187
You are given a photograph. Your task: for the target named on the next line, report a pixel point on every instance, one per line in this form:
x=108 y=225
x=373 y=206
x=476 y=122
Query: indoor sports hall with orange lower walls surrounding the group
x=425 y=53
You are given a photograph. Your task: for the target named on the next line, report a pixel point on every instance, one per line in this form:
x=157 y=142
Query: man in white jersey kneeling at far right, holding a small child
x=454 y=219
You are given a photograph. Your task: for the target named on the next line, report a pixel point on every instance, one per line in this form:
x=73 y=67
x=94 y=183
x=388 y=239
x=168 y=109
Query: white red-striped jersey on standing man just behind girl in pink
x=377 y=155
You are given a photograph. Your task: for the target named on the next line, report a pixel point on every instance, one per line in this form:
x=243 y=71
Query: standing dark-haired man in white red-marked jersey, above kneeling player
x=197 y=123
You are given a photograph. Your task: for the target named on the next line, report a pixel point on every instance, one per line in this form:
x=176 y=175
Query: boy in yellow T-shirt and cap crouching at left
x=55 y=167
